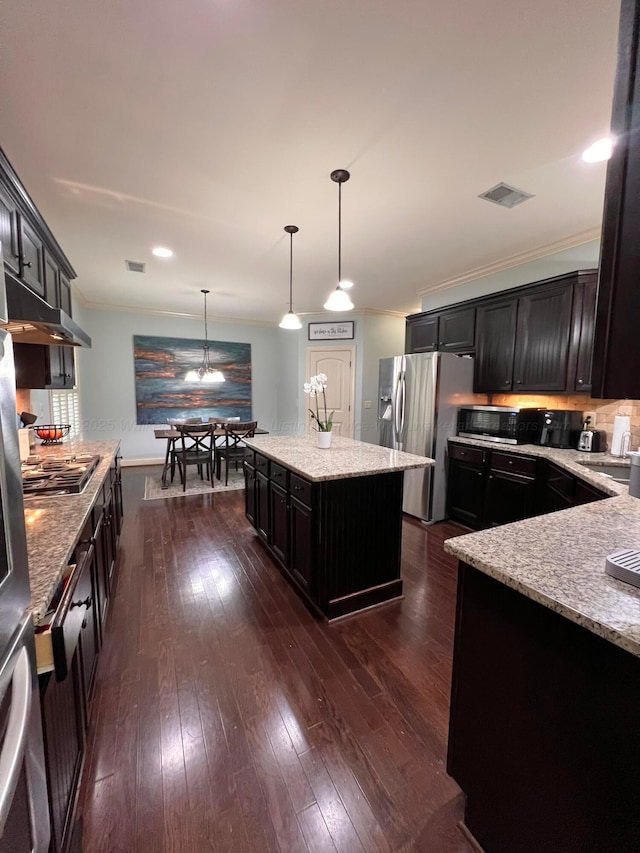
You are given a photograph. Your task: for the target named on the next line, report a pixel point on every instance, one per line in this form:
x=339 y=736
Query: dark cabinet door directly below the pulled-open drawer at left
x=63 y=726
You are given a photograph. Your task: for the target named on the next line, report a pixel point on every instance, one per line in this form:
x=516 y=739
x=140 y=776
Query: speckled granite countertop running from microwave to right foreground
x=558 y=559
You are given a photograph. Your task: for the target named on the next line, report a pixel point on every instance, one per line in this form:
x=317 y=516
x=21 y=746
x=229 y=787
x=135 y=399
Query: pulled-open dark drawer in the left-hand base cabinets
x=57 y=633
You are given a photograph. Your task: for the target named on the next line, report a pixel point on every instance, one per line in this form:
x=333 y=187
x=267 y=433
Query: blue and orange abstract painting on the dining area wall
x=161 y=365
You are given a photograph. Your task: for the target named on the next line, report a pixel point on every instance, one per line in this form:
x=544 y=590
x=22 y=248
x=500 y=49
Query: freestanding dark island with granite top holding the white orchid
x=331 y=519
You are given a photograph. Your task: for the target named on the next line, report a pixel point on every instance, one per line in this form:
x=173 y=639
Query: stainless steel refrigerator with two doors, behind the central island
x=419 y=397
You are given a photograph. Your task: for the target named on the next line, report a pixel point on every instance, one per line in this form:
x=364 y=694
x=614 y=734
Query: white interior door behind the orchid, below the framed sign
x=338 y=363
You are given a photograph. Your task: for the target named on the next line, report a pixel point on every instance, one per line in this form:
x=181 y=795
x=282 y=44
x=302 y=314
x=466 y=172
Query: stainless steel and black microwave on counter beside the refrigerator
x=502 y=424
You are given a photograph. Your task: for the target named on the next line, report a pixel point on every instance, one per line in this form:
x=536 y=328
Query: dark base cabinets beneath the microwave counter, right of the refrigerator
x=486 y=488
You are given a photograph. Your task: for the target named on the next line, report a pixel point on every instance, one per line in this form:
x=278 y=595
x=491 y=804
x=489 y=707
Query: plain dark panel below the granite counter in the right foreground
x=543 y=735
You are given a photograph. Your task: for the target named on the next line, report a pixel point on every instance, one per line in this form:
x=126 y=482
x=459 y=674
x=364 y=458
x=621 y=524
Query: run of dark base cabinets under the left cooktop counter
x=67 y=653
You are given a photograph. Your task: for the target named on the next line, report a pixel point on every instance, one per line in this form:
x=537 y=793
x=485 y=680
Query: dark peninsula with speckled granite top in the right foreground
x=544 y=737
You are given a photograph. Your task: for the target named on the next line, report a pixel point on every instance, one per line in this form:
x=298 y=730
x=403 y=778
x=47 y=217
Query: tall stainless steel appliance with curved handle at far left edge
x=24 y=814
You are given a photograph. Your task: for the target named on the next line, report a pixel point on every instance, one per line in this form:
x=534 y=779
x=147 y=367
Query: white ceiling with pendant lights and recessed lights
x=209 y=125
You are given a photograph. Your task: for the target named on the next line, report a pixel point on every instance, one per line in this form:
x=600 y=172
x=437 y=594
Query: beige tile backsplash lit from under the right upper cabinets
x=605 y=410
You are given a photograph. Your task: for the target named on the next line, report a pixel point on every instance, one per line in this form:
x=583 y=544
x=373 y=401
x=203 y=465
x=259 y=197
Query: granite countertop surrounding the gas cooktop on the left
x=53 y=523
